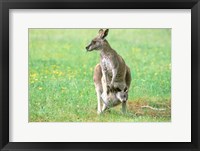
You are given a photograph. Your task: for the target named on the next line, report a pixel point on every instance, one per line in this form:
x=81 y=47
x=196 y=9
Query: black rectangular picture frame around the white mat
x=5 y=5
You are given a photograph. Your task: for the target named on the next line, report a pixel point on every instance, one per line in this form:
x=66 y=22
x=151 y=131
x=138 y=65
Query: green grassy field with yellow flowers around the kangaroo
x=61 y=87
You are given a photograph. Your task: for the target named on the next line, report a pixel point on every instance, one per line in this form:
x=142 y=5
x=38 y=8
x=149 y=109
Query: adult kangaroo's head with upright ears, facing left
x=99 y=41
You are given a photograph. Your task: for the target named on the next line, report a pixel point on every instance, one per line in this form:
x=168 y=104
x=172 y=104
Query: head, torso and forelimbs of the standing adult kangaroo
x=113 y=66
